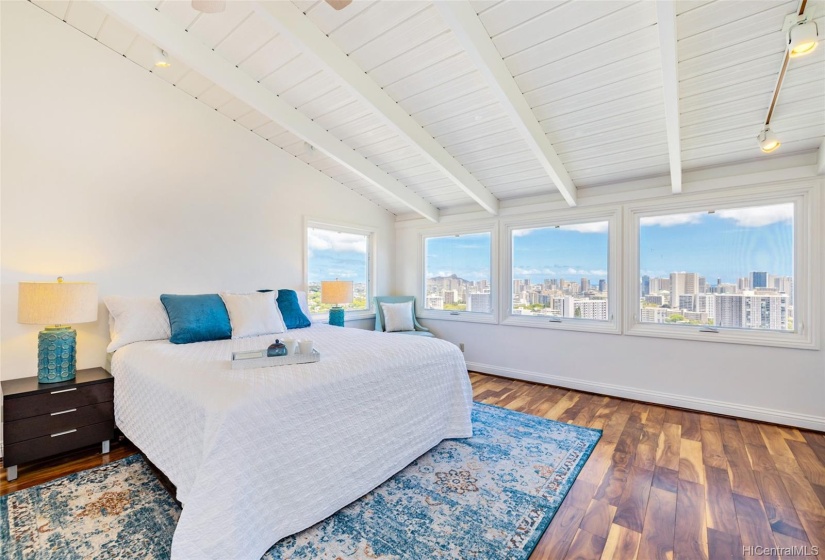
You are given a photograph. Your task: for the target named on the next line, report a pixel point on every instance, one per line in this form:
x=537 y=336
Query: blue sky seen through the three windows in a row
x=728 y=244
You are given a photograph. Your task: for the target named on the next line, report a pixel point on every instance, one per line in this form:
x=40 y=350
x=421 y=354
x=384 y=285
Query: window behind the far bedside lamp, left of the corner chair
x=337 y=253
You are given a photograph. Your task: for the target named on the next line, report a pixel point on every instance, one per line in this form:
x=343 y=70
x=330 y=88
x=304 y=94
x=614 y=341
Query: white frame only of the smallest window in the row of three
x=462 y=316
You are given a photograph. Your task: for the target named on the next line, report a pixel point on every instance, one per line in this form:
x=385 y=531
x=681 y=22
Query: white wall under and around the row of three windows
x=773 y=384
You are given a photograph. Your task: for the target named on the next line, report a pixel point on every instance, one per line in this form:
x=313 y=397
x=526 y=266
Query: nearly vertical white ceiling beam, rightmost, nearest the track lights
x=666 y=16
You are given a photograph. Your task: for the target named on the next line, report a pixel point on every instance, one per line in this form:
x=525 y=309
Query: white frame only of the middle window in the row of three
x=613 y=217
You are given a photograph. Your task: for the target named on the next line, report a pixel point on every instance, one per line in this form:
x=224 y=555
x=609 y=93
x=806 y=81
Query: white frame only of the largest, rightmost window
x=806 y=264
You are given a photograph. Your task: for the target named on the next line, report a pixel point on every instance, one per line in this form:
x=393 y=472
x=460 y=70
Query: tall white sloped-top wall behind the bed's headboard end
x=111 y=175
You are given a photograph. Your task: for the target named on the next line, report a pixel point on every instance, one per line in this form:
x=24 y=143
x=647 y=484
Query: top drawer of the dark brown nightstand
x=60 y=398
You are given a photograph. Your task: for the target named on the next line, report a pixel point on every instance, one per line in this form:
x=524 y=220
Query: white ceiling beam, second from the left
x=290 y=21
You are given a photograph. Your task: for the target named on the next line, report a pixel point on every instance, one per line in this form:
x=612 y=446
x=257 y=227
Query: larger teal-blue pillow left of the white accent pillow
x=197 y=318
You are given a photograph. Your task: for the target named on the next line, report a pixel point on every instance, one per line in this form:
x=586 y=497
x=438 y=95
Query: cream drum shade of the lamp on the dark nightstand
x=56 y=303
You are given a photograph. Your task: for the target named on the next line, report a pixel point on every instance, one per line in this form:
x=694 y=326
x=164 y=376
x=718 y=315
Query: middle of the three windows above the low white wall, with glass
x=561 y=274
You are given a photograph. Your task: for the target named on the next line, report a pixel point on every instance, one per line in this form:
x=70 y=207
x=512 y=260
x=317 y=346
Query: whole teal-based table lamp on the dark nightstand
x=56 y=303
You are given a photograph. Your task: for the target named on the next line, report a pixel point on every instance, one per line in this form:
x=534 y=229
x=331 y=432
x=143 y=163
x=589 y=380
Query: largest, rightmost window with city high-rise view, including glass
x=730 y=270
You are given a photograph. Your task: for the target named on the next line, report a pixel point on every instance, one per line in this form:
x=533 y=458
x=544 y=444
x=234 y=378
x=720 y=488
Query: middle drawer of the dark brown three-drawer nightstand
x=59 y=421
